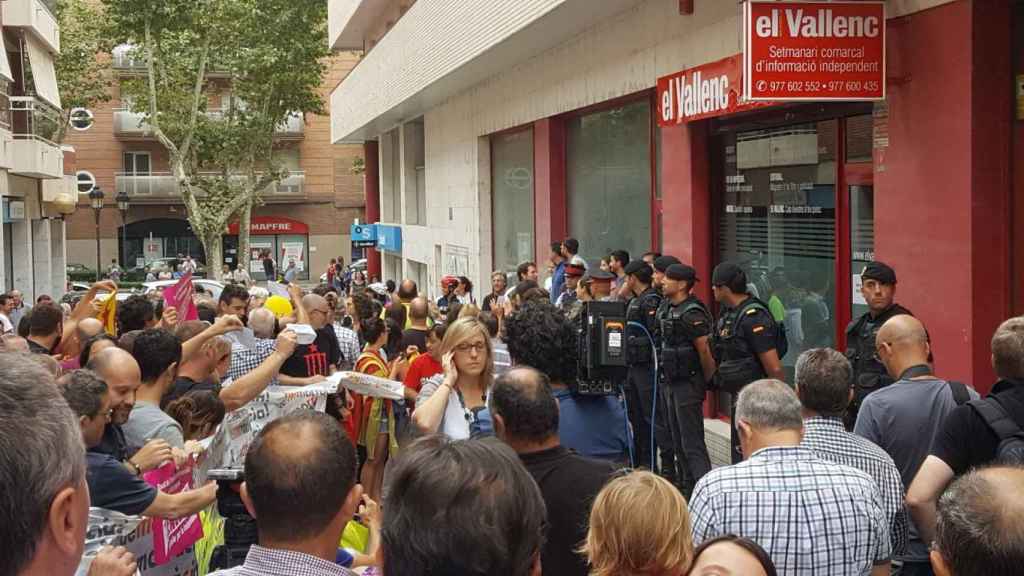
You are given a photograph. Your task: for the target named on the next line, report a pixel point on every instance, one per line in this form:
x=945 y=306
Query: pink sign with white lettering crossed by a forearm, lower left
x=173 y=538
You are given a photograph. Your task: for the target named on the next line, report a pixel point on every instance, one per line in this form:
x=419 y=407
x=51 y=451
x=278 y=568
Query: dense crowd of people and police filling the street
x=864 y=462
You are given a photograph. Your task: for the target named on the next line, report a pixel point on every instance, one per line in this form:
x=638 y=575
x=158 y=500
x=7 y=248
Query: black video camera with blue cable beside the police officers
x=603 y=349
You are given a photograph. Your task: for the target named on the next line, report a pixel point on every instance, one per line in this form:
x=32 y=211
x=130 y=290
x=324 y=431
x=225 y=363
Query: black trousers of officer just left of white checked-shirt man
x=686 y=418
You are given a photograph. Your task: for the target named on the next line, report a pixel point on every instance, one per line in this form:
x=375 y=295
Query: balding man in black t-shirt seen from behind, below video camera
x=526 y=418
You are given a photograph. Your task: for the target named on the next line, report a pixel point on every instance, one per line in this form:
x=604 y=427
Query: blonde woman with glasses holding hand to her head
x=450 y=403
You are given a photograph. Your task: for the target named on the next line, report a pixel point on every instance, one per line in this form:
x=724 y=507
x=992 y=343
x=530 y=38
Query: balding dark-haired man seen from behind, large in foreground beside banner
x=301 y=487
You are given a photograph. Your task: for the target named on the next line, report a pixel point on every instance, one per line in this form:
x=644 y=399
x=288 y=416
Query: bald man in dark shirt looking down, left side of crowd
x=123 y=378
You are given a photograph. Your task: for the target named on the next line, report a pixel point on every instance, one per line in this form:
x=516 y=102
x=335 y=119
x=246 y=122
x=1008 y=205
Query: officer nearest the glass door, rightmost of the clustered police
x=747 y=339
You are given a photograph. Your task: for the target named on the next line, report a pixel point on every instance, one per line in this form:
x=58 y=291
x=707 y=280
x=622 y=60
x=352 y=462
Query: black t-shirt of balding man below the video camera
x=569 y=484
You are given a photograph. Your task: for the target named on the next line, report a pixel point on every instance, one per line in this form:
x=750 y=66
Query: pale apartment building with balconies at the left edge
x=36 y=194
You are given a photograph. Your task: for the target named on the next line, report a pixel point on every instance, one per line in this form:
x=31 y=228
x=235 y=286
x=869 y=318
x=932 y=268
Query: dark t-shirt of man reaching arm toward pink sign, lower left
x=113 y=487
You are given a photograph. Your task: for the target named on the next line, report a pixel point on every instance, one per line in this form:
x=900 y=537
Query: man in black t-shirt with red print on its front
x=311 y=363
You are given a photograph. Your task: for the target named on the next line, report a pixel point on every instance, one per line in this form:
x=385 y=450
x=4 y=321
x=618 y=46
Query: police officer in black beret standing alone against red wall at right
x=879 y=290
